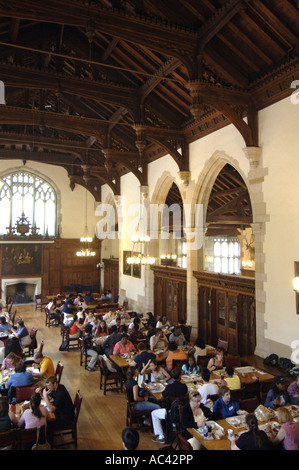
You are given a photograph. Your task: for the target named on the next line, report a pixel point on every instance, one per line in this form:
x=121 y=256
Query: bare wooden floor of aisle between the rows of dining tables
x=101 y=418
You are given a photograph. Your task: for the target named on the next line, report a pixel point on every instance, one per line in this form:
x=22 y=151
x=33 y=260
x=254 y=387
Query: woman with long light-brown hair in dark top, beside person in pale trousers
x=194 y=415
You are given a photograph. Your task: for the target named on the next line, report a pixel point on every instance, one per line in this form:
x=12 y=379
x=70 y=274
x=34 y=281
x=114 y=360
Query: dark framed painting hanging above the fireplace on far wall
x=21 y=259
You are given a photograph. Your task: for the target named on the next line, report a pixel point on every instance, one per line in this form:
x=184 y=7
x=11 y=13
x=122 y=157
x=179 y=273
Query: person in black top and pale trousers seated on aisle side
x=175 y=393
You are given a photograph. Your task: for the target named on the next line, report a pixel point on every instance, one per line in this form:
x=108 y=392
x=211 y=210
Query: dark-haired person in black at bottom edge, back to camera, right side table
x=253 y=438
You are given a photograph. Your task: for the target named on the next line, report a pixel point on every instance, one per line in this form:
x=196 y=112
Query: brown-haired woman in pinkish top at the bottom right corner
x=288 y=435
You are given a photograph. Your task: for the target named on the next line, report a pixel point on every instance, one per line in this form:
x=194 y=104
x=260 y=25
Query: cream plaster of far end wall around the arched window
x=71 y=212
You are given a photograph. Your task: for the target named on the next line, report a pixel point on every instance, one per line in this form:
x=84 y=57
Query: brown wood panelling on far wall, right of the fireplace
x=61 y=267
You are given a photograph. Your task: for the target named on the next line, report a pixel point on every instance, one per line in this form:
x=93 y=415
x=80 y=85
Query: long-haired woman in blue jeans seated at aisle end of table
x=140 y=401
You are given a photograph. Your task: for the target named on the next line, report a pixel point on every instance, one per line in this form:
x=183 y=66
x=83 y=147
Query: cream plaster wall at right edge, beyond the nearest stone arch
x=280 y=154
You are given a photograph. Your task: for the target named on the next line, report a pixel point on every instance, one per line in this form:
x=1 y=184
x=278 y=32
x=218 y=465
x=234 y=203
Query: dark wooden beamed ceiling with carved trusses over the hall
x=103 y=87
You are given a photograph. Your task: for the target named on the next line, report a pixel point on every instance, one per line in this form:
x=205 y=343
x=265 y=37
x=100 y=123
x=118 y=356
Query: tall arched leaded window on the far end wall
x=22 y=191
